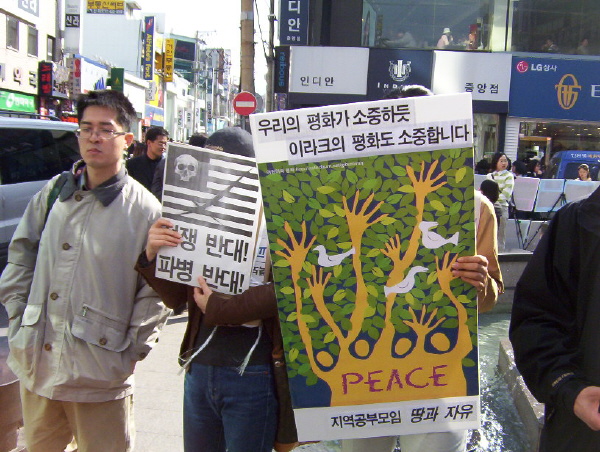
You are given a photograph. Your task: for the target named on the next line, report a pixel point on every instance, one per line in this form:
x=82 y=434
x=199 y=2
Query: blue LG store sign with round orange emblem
x=555 y=89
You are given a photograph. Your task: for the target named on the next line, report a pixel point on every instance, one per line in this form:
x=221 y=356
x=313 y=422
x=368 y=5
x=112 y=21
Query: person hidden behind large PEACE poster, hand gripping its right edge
x=483 y=272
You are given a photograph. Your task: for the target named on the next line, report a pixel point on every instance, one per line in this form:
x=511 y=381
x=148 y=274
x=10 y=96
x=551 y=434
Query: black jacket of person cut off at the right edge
x=555 y=324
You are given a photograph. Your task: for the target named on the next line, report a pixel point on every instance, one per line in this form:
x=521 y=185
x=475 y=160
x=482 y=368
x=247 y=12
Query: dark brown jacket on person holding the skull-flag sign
x=256 y=303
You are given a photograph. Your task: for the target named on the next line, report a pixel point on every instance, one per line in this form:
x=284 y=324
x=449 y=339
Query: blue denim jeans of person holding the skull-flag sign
x=226 y=411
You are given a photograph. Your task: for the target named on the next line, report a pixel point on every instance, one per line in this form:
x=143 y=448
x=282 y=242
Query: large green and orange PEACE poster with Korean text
x=368 y=205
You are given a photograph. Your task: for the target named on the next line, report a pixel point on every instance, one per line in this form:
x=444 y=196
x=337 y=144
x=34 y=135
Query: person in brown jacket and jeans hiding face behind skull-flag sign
x=236 y=395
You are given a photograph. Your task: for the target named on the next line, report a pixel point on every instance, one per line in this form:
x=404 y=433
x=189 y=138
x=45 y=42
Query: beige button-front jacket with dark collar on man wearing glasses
x=79 y=312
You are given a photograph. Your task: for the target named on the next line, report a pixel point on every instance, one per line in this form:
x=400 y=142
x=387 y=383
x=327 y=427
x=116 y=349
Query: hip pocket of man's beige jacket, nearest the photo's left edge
x=23 y=342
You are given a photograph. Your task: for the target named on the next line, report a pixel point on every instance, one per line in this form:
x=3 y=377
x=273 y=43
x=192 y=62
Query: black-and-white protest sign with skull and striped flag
x=213 y=199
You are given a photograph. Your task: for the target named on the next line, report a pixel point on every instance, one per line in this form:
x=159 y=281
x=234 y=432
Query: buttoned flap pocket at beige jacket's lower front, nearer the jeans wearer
x=97 y=328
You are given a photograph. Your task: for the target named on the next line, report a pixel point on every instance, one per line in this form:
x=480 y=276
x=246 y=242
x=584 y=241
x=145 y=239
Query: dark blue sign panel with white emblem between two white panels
x=393 y=68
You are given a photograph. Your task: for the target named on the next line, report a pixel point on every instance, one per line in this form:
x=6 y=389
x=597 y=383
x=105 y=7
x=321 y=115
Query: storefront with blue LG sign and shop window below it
x=554 y=106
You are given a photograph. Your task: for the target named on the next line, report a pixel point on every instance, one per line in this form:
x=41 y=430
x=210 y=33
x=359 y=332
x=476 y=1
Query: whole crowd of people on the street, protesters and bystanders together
x=85 y=306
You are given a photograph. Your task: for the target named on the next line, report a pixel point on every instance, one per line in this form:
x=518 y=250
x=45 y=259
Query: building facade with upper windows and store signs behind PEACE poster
x=529 y=64
